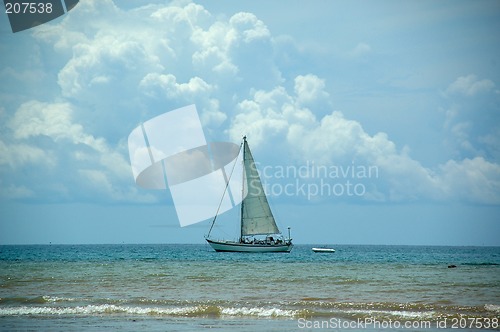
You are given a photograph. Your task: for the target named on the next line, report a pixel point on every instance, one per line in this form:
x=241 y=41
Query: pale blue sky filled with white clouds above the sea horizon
x=372 y=122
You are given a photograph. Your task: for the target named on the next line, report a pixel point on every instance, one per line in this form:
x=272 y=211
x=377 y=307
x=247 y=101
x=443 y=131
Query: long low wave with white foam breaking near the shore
x=310 y=307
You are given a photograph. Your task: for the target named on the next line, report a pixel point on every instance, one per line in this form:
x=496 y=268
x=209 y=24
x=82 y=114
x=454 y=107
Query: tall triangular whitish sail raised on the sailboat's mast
x=256 y=215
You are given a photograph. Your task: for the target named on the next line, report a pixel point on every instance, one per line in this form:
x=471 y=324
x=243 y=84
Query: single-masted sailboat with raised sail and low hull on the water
x=258 y=231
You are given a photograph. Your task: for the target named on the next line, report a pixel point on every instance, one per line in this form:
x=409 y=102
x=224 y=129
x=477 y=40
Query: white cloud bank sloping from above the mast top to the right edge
x=272 y=116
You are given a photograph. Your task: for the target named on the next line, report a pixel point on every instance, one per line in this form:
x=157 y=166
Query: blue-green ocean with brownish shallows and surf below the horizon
x=179 y=287
